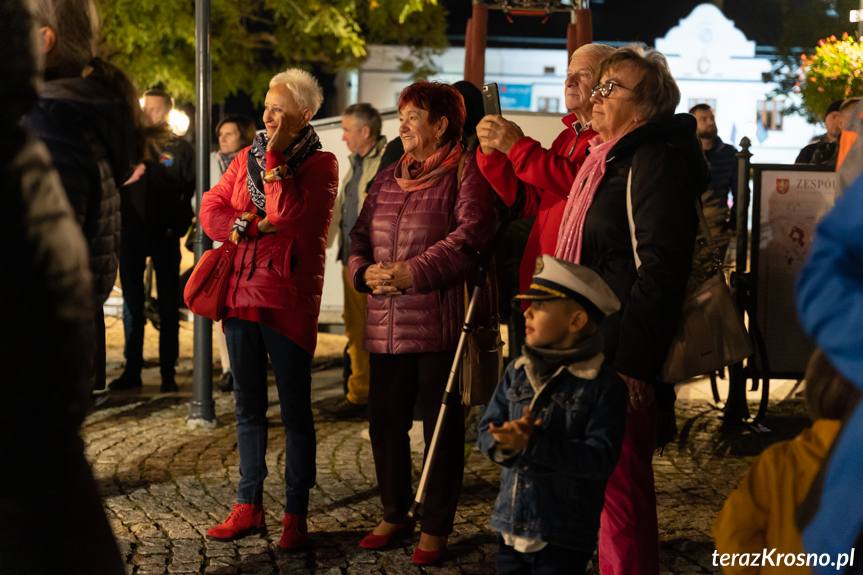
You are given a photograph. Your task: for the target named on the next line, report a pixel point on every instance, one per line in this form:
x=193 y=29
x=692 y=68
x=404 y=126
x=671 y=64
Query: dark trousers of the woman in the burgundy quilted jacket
x=395 y=382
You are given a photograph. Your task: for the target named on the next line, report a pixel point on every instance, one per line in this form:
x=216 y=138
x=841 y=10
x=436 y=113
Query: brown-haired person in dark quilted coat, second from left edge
x=87 y=115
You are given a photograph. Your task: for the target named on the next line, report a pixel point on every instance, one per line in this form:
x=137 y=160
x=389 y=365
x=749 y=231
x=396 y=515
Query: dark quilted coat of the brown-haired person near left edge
x=91 y=138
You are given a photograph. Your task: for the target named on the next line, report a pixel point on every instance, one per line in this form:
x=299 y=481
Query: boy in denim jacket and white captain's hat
x=555 y=424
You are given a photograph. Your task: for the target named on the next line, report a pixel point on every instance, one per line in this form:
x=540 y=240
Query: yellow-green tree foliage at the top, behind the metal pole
x=153 y=41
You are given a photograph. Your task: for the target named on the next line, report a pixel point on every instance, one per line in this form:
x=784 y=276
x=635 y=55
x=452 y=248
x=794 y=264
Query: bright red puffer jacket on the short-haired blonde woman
x=284 y=270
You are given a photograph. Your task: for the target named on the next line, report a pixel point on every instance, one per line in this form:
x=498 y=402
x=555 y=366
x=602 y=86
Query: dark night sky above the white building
x=622 y=20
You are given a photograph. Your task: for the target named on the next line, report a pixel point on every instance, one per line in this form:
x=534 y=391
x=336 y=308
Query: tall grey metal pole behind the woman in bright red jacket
x=202 y=410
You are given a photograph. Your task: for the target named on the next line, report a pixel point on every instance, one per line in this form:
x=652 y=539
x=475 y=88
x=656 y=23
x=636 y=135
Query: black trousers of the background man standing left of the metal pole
x=135 y=247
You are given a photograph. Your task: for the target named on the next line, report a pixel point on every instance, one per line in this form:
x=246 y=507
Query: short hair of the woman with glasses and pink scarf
x=657 y=94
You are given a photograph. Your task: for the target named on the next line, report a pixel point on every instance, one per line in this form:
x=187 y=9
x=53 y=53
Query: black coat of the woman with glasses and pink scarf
x=668 y=173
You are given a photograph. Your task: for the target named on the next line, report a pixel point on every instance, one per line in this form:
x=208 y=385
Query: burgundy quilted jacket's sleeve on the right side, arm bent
x=445 y=262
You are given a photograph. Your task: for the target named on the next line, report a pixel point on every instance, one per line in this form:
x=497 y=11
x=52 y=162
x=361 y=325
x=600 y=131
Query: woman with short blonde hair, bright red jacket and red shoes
x=276 y=200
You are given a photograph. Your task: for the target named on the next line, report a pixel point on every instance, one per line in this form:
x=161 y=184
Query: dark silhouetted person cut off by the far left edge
x=46 y=485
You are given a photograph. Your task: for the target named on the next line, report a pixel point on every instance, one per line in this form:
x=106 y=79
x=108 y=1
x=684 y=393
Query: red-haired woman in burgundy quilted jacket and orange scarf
x=410 y=251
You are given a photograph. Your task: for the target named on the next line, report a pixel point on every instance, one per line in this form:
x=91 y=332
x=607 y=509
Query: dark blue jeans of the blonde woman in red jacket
x=249 y=343
